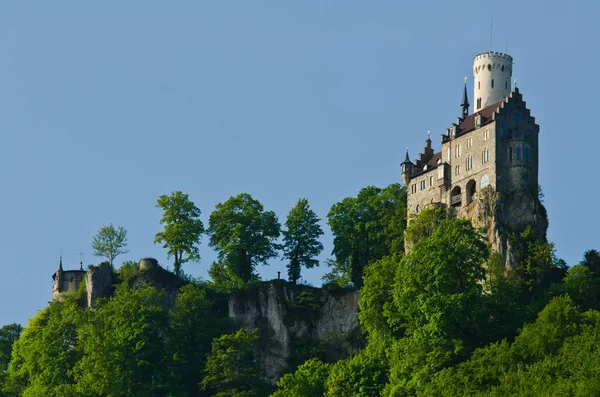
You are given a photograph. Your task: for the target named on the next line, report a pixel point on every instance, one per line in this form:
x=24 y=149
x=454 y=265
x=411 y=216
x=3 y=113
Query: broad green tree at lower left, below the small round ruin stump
x=124 y=349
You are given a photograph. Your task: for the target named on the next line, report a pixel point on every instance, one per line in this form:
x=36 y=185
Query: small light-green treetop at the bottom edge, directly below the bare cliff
x=309 y=380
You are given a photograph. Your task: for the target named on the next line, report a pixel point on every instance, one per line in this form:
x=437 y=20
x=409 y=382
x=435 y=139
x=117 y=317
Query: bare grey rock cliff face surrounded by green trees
x=295 y=322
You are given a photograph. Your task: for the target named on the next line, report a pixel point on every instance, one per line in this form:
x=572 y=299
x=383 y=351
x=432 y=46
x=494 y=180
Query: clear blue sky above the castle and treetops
x=104 y=106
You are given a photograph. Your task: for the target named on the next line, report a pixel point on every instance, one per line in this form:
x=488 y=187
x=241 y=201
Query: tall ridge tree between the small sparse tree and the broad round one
x=183 y=228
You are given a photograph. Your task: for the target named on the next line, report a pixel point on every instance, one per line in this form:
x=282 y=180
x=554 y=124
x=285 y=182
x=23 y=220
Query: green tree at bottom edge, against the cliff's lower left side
x=232 y=367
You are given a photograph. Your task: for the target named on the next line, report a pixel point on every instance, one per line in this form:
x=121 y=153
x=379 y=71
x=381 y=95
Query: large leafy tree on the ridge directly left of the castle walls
x=368 y=227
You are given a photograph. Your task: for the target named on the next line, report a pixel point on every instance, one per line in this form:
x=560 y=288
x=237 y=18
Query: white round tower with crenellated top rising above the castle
x=492 y=72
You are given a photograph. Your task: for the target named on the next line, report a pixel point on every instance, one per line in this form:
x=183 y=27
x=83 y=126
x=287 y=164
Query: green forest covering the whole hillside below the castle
x=444 y=319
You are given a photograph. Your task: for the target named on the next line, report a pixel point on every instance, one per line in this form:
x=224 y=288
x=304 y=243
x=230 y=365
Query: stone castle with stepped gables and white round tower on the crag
x=487 y=169
